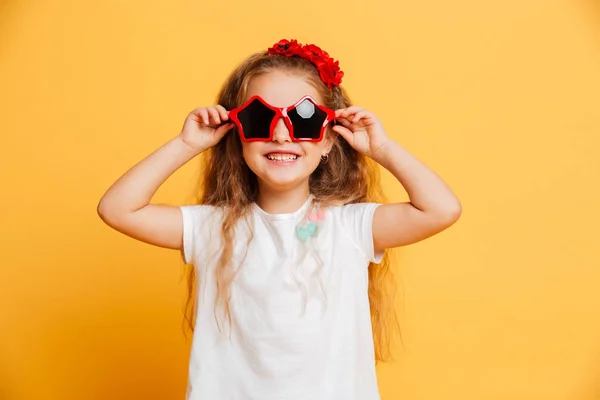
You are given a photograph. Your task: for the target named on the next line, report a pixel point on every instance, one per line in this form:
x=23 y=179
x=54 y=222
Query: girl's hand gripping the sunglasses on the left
x=202 y=128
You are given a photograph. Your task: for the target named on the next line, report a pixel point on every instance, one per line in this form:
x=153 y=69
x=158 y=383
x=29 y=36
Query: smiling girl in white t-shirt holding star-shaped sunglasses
x=289 y=240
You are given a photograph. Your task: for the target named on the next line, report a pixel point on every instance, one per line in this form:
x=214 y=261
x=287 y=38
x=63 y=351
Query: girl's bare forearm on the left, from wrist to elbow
x=135 y=189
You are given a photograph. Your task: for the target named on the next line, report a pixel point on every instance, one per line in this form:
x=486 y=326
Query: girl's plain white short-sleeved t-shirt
x=300 y=322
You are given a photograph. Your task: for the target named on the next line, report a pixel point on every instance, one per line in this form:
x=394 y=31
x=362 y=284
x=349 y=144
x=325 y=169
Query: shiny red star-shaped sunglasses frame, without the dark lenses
x=281 y=113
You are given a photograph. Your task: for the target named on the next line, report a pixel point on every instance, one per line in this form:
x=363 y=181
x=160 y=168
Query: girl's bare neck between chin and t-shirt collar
x=286 y=201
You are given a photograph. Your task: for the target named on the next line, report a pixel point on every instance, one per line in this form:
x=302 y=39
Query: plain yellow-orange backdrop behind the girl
x=502 y=98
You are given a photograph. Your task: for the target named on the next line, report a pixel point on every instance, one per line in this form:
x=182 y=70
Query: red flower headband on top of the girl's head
x=329 y=70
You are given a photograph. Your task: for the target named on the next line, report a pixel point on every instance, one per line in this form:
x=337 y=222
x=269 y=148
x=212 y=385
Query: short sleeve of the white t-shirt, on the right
x=357 y=220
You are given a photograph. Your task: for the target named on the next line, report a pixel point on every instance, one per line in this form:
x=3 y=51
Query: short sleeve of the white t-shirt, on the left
x=198 y=220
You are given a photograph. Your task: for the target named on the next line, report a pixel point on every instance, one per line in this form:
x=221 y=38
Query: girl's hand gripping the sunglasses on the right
x=361 y=129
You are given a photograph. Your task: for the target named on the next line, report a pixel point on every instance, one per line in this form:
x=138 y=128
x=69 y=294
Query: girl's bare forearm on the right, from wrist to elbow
x=426 y=190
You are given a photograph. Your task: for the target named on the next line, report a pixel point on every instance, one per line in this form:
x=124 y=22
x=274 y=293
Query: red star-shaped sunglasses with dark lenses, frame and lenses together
x=306 y=119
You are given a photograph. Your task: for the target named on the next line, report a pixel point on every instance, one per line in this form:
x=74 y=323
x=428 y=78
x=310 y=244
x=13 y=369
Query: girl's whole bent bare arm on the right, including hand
x=432 y=207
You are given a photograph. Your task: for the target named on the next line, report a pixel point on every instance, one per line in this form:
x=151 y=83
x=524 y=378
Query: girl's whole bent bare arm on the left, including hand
x=126 y=205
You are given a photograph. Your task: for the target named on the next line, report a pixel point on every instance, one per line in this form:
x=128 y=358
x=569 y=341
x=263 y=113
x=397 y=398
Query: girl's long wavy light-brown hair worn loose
x=348 y=177
